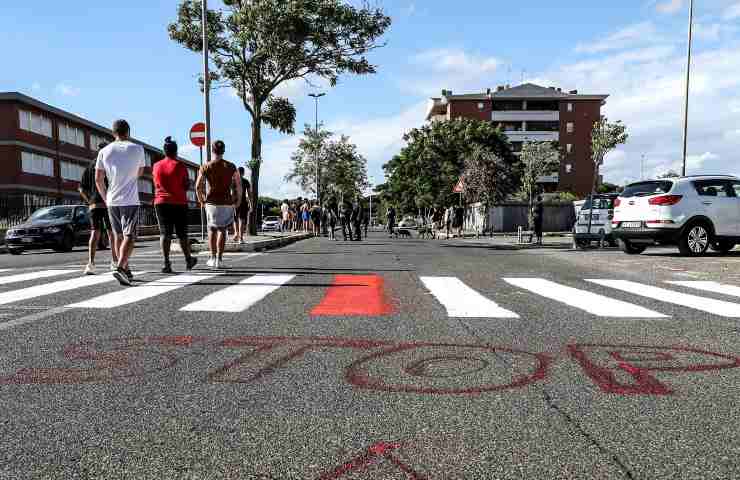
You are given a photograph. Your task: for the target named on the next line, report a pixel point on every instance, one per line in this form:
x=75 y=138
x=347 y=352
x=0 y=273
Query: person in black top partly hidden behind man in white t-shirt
x=99 y=221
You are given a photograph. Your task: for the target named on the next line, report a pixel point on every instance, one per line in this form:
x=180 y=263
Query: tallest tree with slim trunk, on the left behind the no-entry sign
x=258 y=45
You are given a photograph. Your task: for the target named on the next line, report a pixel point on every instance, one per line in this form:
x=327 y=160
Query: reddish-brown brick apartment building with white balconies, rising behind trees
x=530 y=112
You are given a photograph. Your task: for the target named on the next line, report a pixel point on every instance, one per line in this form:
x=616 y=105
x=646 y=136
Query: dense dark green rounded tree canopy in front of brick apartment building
x=424 y=173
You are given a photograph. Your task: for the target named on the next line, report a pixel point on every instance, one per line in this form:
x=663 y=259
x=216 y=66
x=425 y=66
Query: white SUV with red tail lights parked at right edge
x=695 y=213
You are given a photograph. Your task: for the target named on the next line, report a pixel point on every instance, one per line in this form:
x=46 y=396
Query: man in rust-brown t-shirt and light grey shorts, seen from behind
x=219 y=203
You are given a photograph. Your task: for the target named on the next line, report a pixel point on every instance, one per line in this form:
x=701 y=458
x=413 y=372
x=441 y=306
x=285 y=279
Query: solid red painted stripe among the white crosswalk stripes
x=355 y=295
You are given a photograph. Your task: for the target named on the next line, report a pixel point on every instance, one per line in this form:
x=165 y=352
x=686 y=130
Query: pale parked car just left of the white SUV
x=594 y=220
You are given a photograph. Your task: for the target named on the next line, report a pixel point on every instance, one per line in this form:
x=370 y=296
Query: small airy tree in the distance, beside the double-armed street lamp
x=343 y=168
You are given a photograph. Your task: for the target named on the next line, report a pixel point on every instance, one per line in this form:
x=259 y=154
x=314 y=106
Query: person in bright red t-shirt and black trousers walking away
x=171 y=184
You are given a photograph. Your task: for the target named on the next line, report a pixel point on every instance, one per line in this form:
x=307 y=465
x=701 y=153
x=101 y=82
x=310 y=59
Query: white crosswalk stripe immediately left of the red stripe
x=238 y=298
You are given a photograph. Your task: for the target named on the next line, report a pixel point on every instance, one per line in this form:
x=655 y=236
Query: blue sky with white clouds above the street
x=104 y=61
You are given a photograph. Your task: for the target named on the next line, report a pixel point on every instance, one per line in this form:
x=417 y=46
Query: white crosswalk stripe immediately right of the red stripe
x=461 y=301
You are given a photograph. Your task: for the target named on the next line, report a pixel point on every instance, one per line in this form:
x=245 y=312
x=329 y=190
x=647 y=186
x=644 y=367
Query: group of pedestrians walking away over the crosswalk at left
x=110 y=188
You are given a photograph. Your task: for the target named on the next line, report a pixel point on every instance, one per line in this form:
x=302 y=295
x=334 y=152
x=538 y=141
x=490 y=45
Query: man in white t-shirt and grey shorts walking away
x=122 y=162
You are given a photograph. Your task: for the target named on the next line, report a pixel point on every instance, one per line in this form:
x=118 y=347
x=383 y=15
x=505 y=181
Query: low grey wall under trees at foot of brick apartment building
x=508 y=217
